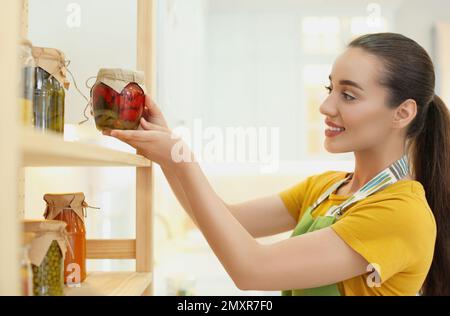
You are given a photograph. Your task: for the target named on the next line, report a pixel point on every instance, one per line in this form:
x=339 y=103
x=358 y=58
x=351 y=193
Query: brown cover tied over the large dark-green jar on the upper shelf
x=54 y=62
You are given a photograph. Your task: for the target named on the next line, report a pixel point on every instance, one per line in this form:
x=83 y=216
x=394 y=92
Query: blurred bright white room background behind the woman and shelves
x=223 y=63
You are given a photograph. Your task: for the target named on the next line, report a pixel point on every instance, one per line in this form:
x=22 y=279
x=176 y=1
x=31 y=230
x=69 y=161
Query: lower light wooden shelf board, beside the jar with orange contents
x=112 y=284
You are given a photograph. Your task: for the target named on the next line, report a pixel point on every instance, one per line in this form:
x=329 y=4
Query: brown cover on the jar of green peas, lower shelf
x=46 y=231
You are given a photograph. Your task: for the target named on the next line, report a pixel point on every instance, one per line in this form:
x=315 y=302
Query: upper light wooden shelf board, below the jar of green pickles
x=49 y=150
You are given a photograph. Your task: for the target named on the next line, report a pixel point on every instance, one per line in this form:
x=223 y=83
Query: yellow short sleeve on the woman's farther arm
x=294 y=196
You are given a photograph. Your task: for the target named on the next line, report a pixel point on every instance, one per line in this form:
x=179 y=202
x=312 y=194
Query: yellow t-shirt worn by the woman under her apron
x=393 y=229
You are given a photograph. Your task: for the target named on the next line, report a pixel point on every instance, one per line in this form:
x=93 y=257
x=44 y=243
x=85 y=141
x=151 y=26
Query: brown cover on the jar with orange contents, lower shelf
x=56 y=203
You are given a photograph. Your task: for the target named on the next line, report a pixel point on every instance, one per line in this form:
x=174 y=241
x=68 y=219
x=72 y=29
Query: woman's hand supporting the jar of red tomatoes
x=155 y=142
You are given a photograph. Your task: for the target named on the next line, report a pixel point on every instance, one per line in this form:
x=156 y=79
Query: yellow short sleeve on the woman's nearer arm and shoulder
x=390 y=233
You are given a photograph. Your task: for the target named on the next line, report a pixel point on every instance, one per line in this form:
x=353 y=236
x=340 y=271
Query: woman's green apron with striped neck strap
x=308 y=223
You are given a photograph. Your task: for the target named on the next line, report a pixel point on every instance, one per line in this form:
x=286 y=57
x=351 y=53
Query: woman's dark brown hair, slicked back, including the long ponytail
x=409 y=74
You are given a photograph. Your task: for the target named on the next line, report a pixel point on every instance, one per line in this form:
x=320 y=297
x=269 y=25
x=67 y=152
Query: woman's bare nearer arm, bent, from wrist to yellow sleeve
x=306 y=261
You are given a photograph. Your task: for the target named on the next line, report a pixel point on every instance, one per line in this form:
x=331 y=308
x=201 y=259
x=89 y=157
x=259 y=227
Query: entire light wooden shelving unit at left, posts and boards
x=21 y=147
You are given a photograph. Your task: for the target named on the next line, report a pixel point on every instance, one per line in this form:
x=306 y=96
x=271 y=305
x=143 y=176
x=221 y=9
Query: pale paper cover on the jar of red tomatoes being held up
x=118 y=79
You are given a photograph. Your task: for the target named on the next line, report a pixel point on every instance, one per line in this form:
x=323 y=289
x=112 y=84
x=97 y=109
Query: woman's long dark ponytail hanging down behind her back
x=431 y=165
